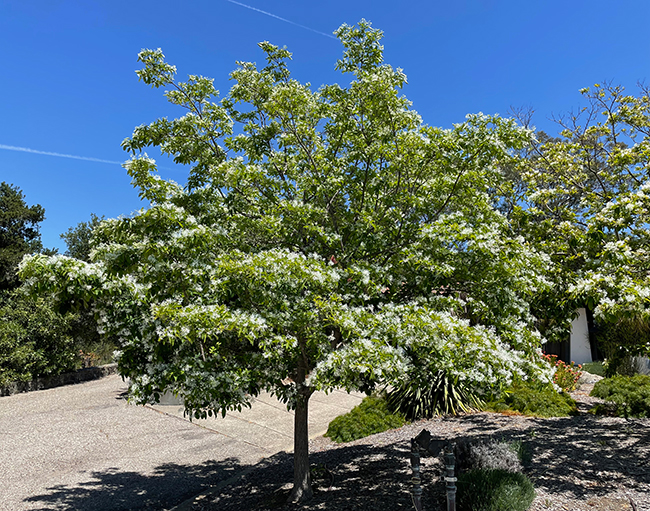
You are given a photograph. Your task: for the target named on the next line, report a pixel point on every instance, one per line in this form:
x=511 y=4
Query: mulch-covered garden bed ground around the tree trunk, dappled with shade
x=581 y=463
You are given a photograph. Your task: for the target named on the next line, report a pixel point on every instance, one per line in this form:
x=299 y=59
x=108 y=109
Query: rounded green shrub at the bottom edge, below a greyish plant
x=494 y=490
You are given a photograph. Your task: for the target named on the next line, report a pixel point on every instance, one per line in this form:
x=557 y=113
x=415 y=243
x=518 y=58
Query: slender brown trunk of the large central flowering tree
x=301 y=477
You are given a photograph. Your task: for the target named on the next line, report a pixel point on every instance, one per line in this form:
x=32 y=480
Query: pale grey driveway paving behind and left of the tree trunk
x=83 y=447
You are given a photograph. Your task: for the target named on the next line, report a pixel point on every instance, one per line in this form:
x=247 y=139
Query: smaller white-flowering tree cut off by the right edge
x=583 y=199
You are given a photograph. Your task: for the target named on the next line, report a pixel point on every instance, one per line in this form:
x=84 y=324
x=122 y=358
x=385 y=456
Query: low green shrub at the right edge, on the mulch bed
x=627 y=396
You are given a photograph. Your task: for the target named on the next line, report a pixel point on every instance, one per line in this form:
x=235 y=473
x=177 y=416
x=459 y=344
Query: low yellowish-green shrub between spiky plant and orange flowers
x=531 y=398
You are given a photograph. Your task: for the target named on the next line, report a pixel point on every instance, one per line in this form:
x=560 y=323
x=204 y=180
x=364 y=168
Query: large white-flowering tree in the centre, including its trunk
x=324 y=238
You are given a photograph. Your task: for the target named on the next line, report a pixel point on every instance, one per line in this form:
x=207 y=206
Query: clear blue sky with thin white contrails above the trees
x=69 y=94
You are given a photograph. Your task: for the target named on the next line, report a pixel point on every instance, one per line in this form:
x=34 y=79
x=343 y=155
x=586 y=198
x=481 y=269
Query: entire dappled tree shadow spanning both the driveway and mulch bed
x=585 y=457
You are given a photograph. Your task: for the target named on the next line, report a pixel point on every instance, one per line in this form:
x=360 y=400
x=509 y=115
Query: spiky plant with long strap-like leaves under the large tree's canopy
x=440 y=395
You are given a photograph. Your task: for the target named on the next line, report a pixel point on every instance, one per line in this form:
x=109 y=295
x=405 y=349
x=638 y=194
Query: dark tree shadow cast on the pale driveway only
x=114 y=490
